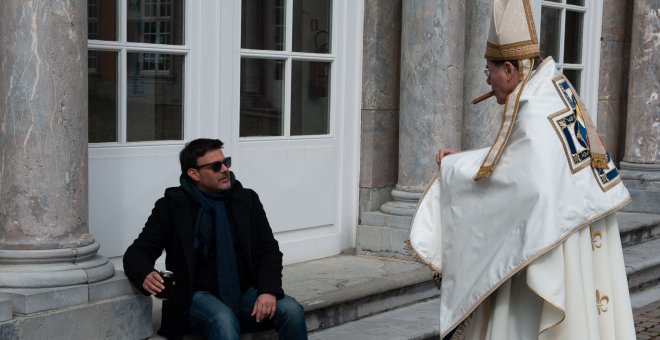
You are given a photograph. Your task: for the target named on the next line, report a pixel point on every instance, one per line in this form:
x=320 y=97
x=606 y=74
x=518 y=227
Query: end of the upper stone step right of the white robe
x=637 y=228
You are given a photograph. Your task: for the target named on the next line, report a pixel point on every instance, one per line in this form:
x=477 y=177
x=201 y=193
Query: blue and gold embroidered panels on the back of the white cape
x=571 y=129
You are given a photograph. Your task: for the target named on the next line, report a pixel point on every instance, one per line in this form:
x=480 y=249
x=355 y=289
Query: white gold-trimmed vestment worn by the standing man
x=533 y=251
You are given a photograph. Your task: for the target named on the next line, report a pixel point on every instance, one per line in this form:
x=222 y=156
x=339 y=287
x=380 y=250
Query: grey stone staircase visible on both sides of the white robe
x=363 y=297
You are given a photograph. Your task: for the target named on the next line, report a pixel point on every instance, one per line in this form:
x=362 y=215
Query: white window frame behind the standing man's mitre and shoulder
x=590 y=66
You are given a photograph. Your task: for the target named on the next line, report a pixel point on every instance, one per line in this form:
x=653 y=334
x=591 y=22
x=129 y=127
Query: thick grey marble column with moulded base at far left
x=44 y=238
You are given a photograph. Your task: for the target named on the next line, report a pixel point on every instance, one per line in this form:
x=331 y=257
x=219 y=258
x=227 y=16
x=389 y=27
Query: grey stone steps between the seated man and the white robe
x=342 y=292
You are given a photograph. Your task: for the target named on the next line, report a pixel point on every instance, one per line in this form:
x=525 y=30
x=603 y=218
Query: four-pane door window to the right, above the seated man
x=286 y=61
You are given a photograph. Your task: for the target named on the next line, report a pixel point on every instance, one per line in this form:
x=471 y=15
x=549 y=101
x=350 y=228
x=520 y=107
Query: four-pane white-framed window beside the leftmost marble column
x=136 y=93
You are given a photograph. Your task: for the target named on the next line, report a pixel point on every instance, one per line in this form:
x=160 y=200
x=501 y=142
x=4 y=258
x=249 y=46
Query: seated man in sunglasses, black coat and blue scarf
x=227 y=265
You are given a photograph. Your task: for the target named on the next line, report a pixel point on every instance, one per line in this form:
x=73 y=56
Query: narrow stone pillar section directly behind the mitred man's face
x=482 y=121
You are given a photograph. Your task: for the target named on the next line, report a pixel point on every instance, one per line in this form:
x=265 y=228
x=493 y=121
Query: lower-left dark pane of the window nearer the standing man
x=262 y=86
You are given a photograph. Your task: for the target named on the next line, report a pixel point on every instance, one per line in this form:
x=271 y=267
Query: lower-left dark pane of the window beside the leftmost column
x=102 y=96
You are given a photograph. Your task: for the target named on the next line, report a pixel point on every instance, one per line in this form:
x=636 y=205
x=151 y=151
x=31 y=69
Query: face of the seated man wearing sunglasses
x=208 y=180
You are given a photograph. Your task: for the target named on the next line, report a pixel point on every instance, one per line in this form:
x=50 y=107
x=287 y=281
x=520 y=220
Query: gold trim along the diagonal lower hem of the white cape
x=533 y=258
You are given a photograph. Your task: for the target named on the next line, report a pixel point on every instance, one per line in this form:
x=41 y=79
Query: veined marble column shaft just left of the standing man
x=431 y=92
